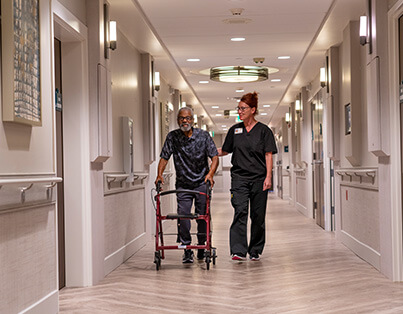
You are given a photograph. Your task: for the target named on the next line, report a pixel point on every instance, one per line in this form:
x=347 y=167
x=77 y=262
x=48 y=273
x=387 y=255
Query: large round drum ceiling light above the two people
x=239 y=74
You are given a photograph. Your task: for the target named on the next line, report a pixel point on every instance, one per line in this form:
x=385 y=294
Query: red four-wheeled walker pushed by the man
x=210 y=252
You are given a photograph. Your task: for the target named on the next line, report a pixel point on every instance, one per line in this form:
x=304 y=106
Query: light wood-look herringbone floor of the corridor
x=303 y=270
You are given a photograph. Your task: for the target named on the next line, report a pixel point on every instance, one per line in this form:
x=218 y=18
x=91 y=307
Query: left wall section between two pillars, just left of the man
x=124 y=203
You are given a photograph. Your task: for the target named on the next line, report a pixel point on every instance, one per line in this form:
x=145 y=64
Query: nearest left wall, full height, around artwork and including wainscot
x=28 y=249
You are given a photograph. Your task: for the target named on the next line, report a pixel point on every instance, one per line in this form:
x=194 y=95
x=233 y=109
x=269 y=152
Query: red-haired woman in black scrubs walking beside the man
x=252 y=145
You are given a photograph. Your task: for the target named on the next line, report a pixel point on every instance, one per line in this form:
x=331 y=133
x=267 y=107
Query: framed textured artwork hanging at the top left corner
x=21 y=91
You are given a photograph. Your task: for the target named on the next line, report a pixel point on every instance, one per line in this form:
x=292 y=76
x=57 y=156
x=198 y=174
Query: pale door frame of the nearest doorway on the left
x=73 y=35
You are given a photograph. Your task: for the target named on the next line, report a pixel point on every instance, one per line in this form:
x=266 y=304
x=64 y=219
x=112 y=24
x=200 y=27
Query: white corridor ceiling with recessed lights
x=176 y=30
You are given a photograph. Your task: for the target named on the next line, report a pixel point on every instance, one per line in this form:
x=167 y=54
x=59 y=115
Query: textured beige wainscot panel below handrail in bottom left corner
x=28 y=272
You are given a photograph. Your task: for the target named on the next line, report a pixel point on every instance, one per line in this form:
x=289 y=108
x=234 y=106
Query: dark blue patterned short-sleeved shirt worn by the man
x=190 y=156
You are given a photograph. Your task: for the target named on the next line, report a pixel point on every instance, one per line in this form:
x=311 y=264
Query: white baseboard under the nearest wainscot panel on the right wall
x=367 y=253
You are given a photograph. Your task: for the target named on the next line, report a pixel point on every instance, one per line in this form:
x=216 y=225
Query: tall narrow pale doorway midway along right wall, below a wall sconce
x=317 y=160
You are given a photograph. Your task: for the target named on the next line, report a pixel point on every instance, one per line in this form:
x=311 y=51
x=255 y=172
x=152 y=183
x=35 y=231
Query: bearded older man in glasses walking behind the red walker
x=191 y=147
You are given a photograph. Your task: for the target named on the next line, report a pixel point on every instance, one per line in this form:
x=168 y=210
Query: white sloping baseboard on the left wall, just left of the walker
x=118 y=257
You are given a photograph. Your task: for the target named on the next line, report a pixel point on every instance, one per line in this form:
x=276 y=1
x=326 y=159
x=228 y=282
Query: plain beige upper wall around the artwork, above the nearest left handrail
x=25 y=149
